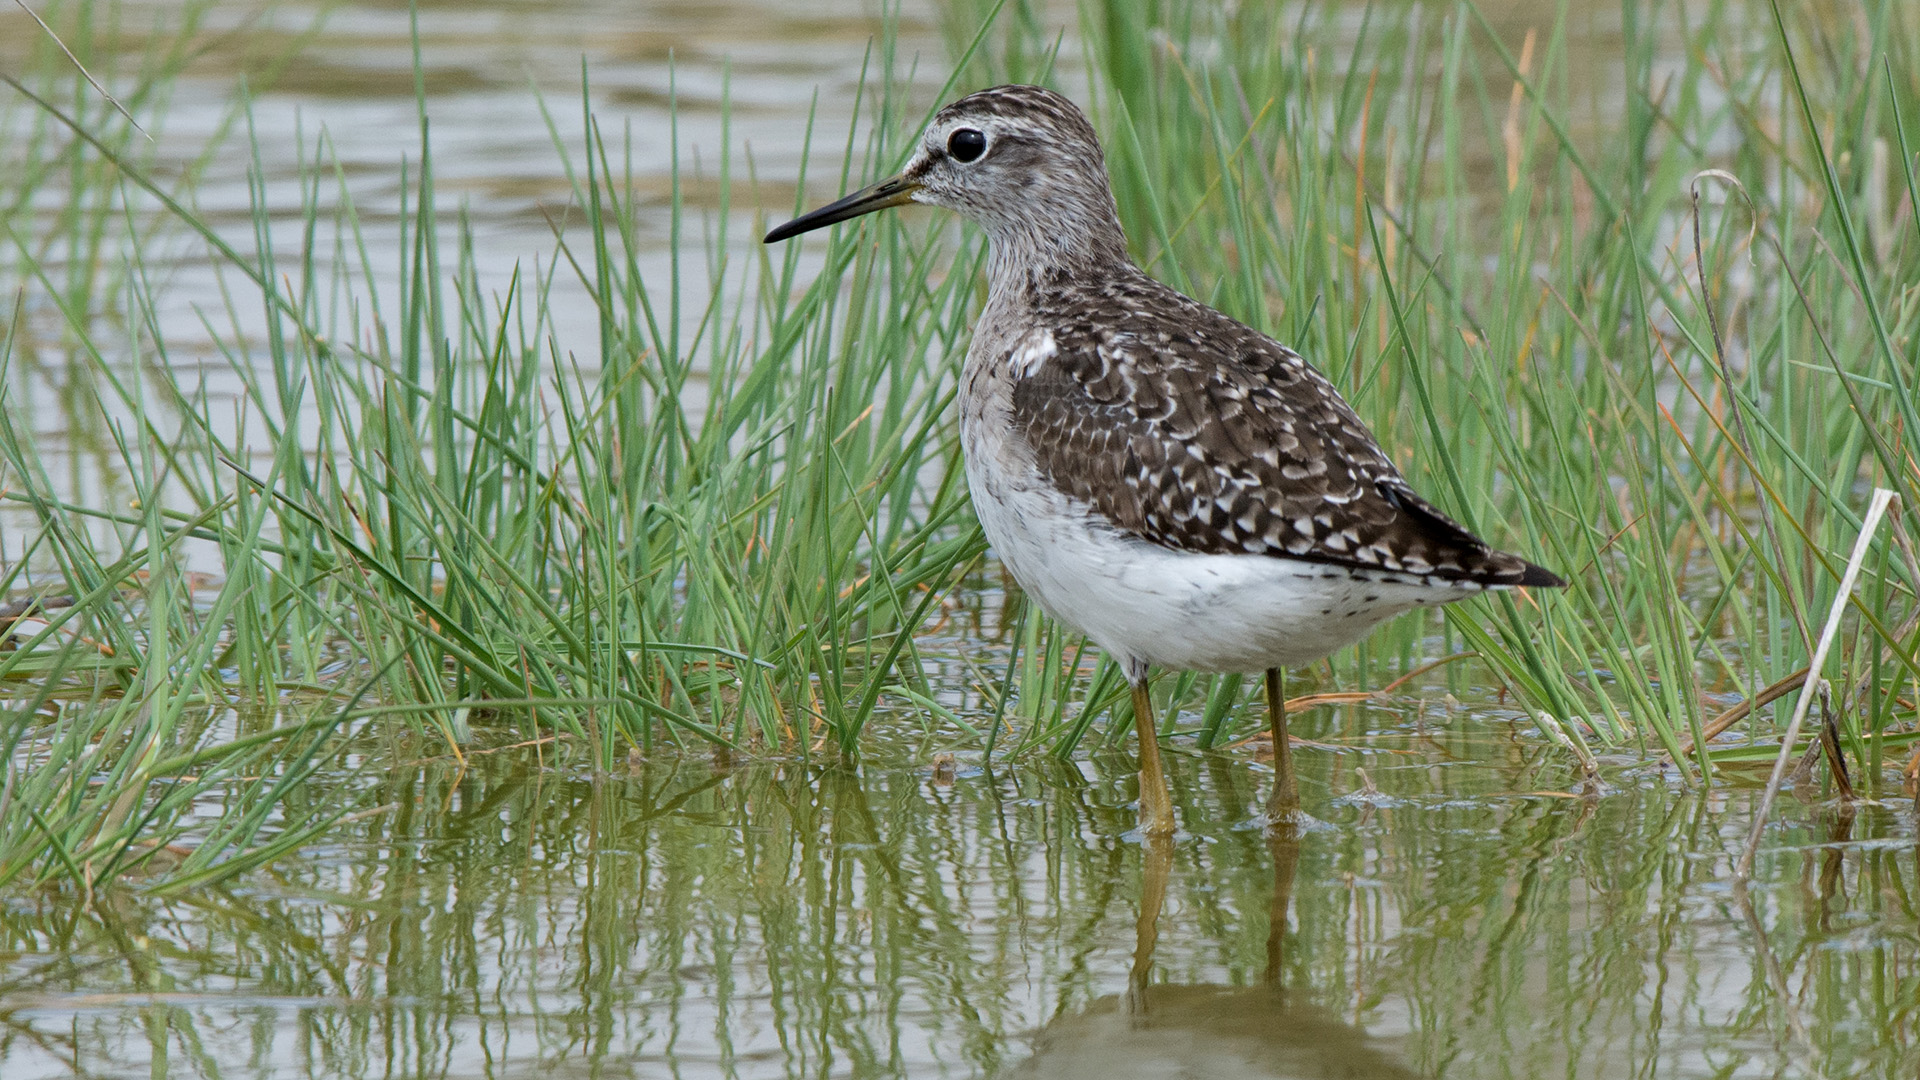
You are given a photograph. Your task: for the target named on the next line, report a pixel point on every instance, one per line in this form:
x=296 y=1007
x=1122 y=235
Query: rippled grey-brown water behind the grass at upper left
x=673 y=87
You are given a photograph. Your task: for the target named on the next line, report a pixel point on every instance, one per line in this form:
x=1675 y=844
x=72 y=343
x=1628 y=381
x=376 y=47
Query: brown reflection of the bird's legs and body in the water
x=1222 y=1033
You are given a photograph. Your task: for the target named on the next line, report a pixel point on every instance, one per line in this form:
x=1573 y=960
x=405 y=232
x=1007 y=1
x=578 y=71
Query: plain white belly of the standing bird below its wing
x=1153 y=606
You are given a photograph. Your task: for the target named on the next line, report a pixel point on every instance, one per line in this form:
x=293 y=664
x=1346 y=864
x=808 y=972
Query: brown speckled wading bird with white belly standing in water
x=1178 y=487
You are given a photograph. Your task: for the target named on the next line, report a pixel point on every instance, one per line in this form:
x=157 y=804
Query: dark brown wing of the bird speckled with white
x=1220 y=441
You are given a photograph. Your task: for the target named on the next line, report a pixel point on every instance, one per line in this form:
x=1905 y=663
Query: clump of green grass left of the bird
x=458 y=520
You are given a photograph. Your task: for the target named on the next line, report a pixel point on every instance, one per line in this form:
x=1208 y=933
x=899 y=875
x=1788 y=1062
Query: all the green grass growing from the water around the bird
x=731 y=516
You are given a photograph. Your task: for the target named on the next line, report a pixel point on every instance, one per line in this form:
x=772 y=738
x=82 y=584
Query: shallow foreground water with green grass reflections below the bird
x=1472 y=916
